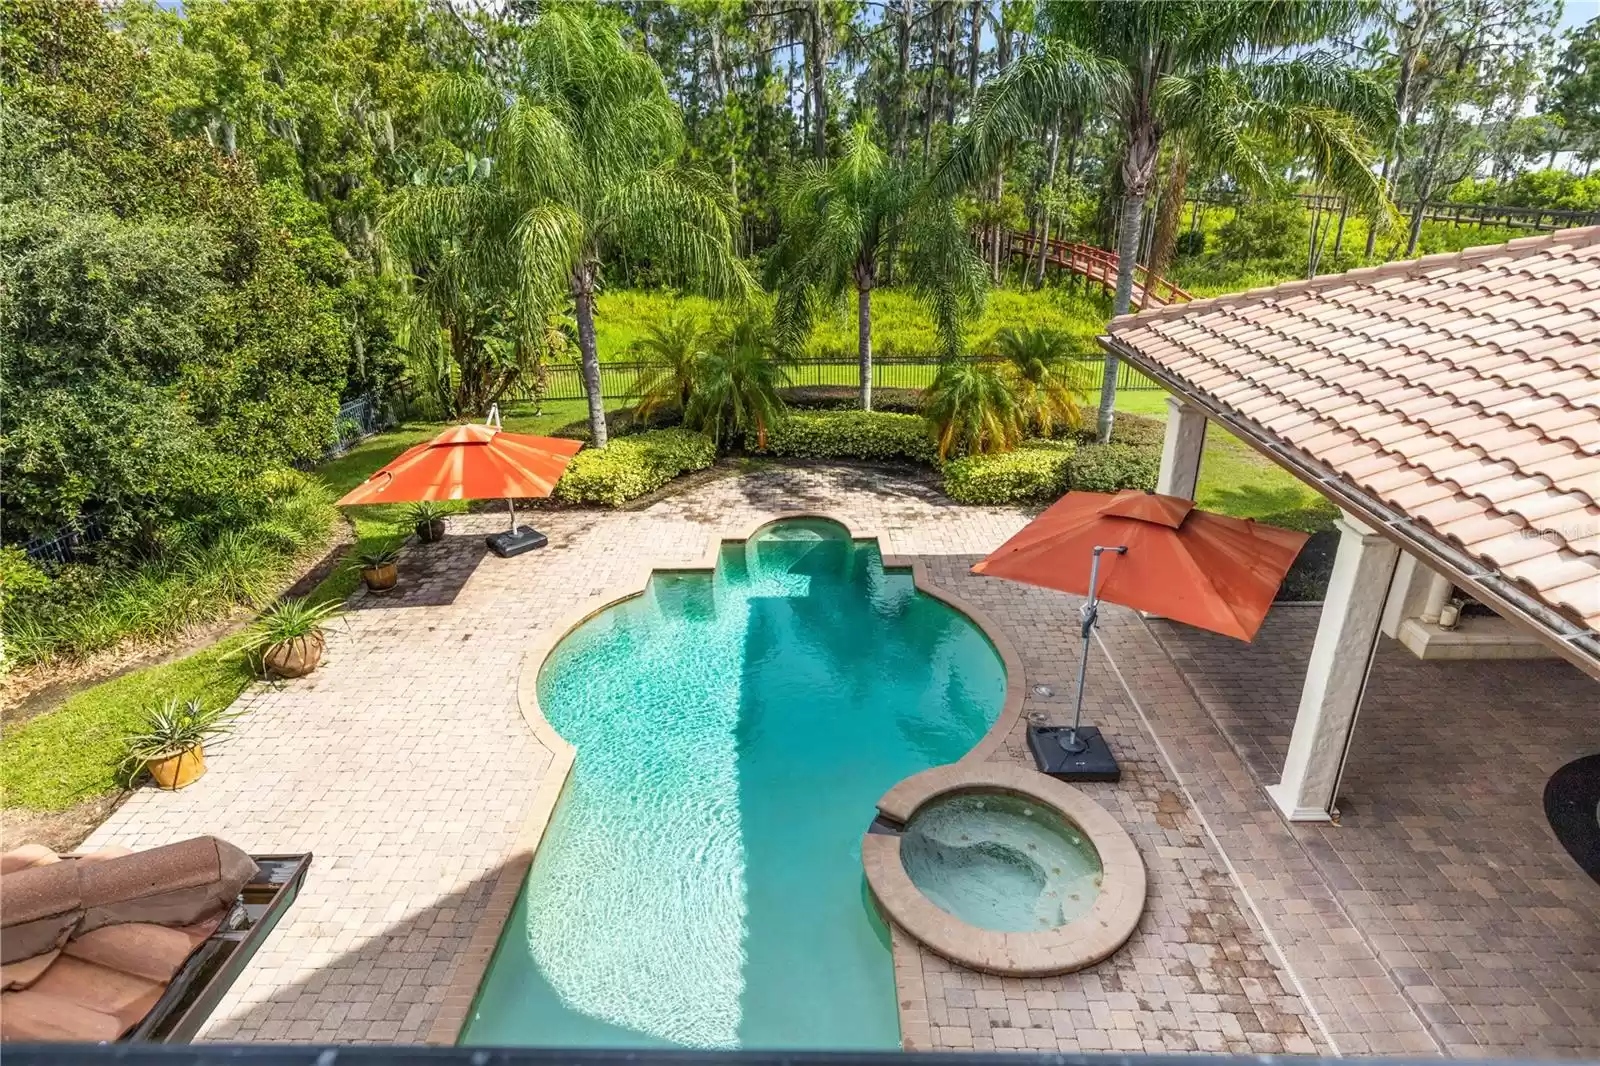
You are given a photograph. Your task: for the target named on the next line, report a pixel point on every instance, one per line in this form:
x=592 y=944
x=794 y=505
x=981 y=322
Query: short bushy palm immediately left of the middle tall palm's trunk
x=737 y=383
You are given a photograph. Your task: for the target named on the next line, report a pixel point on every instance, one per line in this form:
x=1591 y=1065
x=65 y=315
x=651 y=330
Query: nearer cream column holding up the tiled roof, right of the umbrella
x=1337 y=673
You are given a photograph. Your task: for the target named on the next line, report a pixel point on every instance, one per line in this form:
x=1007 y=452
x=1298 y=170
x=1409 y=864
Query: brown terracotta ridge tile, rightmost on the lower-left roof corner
x=174 y=886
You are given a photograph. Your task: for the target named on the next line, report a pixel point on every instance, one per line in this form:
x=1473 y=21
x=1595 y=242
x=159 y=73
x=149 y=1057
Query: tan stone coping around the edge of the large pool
x=474 y=961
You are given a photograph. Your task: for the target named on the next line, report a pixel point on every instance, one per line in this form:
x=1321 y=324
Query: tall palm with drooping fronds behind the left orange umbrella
x=583 y=159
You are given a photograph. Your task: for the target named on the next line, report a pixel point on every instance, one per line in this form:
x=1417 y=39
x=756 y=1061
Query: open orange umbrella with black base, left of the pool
x=474 y=463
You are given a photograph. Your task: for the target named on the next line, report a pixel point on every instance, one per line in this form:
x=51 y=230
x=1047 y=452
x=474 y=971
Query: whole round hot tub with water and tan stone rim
x=1004 y=870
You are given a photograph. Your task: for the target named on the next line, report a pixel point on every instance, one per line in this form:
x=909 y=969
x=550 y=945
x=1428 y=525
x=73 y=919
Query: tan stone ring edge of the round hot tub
x=1081 y=944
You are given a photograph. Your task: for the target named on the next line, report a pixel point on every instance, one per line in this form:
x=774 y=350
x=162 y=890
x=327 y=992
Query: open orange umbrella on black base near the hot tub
x=1166 y=558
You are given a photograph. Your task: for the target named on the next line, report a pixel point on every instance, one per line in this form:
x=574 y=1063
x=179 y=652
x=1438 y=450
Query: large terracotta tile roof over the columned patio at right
x=1460 y=390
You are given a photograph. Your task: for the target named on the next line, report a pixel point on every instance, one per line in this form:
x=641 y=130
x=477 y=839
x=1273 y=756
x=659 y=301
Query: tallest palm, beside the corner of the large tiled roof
x=1196 y=70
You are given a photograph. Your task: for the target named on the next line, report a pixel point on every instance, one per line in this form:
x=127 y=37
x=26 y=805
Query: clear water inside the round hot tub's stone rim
x=1001 y=862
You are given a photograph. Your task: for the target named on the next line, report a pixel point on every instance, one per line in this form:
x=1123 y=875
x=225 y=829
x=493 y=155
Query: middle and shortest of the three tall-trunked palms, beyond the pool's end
x=846 y=225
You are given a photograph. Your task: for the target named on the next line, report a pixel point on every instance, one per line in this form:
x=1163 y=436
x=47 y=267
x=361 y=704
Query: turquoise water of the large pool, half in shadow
x=702 y=880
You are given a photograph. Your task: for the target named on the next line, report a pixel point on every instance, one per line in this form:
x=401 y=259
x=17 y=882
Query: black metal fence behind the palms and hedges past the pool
x=626 y=382
